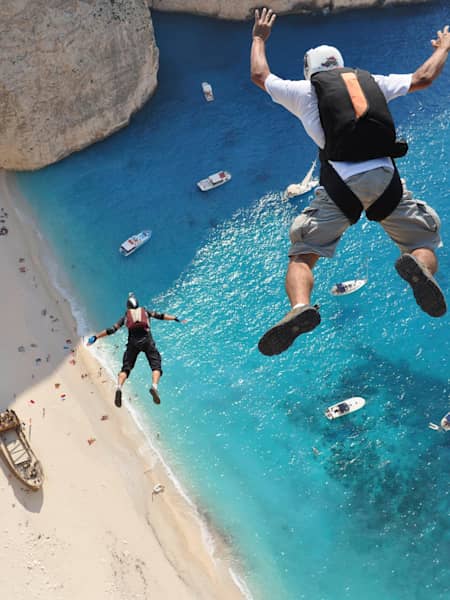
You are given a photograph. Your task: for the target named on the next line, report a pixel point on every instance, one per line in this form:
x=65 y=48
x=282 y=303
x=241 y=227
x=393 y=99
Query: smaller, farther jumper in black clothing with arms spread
x=137 y=320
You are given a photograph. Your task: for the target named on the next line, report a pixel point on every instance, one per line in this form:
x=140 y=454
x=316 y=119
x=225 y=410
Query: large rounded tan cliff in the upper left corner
x=72 y=72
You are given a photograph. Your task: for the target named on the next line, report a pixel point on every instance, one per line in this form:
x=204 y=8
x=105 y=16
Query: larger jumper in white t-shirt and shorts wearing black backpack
x=345 y=112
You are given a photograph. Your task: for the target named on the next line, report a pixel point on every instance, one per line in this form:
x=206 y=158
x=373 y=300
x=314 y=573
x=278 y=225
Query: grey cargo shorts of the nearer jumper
x=318 y=229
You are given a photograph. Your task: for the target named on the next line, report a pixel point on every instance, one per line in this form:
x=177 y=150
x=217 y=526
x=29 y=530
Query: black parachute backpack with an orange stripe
x=355 y=117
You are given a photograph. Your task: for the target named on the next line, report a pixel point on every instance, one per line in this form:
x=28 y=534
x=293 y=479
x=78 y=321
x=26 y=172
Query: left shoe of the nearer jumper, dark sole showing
x=279 y=337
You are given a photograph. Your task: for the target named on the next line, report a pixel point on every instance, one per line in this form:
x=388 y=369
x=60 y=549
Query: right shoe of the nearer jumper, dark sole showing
x=426 y=291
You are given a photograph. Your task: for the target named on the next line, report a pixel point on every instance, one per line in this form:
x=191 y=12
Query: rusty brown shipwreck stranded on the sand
x=17 y=453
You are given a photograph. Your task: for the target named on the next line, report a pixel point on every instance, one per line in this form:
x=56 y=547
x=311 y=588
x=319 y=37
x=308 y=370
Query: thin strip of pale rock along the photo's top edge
x=244 y=9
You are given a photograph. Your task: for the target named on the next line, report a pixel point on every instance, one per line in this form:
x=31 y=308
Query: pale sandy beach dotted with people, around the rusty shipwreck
x=96 y=530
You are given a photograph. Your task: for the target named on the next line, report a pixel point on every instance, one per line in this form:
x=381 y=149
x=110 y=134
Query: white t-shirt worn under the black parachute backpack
x=299 y=98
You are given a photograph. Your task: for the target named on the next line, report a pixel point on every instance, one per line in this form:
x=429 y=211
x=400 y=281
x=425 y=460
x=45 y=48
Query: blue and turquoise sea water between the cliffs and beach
x=367 y=517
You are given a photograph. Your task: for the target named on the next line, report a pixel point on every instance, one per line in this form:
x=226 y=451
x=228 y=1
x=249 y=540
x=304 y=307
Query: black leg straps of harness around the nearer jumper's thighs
x=350 y=204
